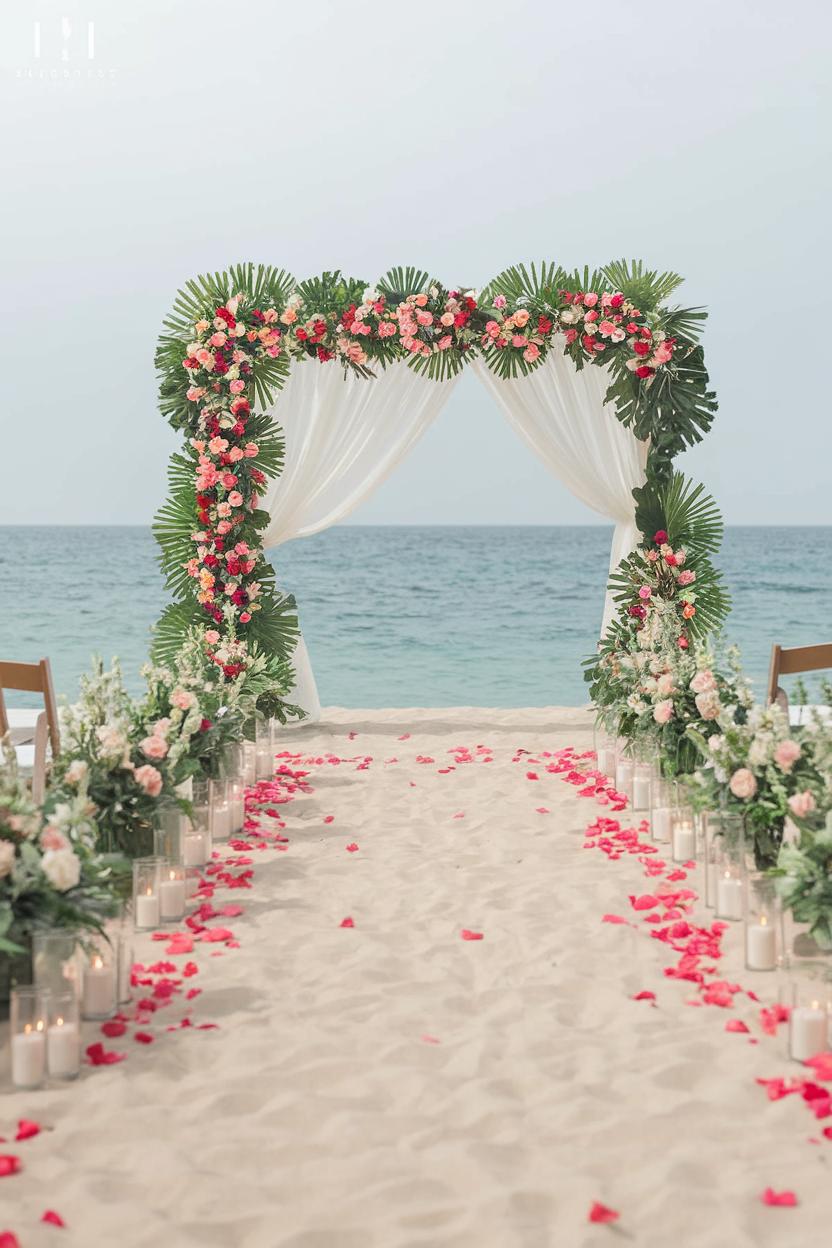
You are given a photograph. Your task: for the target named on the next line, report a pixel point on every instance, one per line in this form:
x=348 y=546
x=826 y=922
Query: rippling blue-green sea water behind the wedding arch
x=405 y=616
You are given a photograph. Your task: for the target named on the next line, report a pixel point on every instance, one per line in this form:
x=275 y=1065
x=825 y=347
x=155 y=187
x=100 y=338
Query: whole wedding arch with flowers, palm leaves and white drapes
x=299 y=400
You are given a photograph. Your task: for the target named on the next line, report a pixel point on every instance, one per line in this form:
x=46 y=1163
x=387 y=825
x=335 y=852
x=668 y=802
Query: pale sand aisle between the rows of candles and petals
x=395 y=1086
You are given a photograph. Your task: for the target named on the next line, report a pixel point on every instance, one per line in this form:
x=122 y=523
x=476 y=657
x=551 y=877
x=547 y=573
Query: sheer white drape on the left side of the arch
x=344 y=437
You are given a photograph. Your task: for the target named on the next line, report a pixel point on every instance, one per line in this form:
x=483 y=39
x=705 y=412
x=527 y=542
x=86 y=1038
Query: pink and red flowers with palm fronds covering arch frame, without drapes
x=234 y=340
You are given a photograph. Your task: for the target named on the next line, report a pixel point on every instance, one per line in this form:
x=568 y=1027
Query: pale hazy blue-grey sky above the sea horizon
x=458 y=138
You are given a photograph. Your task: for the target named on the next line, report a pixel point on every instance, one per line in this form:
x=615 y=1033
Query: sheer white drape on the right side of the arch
x=561 y=414
